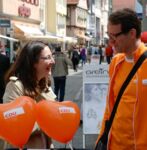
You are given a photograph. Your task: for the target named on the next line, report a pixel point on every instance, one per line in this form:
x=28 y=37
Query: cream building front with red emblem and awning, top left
x=24 y=17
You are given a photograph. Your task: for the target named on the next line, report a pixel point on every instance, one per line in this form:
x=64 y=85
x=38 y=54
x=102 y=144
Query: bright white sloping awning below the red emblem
x=29 y=30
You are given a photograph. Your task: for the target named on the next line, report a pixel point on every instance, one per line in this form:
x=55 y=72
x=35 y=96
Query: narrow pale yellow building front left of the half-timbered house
x=56 y=13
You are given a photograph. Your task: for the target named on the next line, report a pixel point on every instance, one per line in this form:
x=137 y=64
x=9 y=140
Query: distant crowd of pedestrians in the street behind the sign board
x=82 y=54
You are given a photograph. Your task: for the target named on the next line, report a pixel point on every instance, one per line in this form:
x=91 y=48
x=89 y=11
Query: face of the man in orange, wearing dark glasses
x=117 y=38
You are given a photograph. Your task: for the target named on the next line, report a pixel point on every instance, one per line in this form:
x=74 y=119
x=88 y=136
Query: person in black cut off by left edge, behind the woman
x=4 y=66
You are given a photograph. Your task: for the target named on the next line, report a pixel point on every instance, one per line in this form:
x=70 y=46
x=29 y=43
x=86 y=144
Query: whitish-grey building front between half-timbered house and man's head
x=97 y=21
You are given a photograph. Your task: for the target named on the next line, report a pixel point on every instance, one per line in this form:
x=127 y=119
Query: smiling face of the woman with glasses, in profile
x=43 y=67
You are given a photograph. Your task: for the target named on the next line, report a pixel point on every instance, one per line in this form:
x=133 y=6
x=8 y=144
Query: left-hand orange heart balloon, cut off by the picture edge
x=17 y=120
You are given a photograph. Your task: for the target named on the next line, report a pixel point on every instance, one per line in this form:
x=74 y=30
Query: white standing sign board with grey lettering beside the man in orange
x=95 y=85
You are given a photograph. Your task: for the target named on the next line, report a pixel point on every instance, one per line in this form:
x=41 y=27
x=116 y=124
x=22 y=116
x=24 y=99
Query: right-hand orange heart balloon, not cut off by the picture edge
x=59 y=120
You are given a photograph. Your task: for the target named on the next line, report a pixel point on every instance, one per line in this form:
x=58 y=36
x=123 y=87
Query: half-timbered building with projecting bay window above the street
x=77 y=19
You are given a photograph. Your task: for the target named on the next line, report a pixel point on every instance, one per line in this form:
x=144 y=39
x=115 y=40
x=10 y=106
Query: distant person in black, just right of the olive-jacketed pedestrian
x=75 y=58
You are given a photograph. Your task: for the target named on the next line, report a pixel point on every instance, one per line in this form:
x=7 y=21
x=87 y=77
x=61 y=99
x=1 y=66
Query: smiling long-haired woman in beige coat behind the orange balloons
x=29 y=76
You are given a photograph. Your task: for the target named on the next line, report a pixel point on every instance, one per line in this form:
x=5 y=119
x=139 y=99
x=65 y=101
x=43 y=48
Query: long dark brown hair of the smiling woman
x=23 y=68
